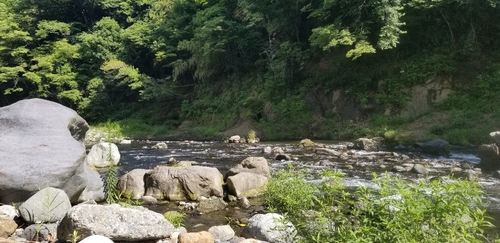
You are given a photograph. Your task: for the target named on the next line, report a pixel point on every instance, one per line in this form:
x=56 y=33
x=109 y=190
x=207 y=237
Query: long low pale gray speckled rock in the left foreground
x=114 y=222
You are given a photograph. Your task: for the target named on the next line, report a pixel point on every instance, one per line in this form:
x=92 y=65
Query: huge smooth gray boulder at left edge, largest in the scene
x=41 y=145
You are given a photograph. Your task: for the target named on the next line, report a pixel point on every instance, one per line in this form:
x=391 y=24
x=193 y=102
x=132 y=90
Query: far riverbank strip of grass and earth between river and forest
x=457 y=127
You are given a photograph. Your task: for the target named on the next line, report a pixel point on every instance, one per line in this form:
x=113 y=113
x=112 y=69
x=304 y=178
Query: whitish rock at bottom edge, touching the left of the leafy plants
x=269 y=227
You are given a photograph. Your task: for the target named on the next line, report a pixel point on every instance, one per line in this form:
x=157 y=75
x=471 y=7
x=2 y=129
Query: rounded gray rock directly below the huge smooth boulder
x=48 y=205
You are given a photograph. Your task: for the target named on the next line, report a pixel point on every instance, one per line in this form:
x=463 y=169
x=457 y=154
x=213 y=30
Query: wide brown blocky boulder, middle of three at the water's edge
x=182 y=183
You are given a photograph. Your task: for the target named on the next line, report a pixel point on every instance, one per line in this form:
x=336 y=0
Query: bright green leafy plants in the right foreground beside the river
x=429 y=211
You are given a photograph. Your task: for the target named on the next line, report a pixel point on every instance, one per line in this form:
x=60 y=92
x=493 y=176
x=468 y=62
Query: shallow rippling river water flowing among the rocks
x=358 y=169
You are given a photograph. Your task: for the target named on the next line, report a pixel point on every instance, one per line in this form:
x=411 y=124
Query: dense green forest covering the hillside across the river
x=216 y=63
